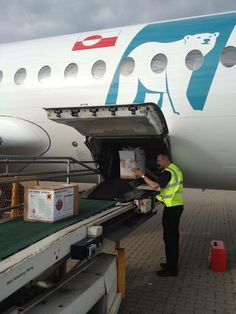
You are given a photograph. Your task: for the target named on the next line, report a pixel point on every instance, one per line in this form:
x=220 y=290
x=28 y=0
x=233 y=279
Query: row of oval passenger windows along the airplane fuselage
x=193 y=61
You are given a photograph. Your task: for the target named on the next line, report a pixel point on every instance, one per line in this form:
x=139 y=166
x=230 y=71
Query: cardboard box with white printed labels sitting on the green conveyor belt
x=51 y=203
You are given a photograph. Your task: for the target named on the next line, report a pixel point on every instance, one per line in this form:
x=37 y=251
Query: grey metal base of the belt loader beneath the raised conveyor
x=93 y=288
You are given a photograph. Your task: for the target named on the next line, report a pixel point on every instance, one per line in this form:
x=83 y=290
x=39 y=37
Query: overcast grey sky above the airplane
x=28 y=19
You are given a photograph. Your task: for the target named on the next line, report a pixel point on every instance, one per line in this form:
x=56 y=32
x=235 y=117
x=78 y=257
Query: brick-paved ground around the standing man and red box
x=208 y=215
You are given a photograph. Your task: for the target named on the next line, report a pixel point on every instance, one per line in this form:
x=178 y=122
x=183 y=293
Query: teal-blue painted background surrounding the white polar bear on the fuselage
x=200 y=80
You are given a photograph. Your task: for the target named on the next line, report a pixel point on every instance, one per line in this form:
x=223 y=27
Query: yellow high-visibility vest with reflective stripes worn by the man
x=172 y=194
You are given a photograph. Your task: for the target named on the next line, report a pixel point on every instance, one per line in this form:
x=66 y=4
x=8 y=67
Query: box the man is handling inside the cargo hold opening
x=130 y=159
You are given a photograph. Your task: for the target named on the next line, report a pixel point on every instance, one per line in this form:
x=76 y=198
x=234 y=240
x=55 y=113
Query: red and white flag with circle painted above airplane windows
x=96 y=41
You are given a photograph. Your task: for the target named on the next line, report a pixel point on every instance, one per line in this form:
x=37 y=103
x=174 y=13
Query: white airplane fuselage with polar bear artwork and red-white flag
x=197 y=99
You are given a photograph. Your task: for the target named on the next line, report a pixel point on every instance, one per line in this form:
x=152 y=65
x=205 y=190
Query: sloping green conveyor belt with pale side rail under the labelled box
x=29 y=262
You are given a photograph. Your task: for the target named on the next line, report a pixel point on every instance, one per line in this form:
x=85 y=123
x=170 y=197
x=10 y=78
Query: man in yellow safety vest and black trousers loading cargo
x=170 y=183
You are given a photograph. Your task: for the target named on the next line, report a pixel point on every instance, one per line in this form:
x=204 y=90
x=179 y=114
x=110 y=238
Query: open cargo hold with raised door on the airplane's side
x=110 y=129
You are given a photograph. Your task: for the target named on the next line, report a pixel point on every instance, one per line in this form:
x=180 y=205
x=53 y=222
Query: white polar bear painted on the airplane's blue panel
x=169 y=86
